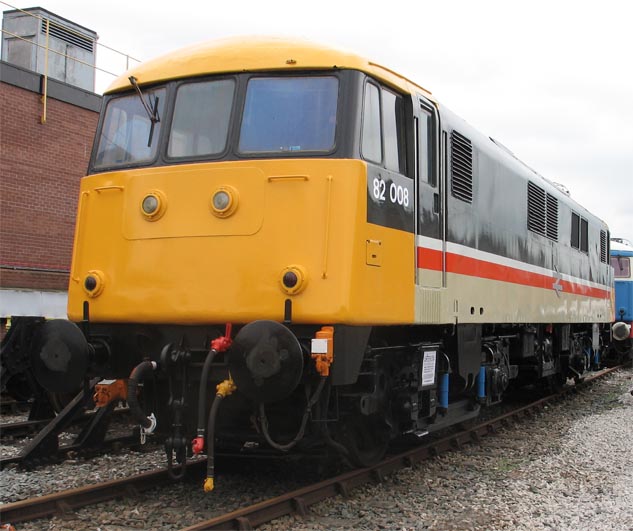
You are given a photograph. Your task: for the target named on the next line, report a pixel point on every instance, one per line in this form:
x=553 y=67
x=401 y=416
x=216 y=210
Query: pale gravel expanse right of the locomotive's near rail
x=569 y=469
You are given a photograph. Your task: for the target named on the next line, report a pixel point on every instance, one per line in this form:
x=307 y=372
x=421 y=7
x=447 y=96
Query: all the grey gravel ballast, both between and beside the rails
x=570 y=468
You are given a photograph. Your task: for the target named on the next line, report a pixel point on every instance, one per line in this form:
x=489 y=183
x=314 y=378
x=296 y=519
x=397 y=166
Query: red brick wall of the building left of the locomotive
x=40 y=167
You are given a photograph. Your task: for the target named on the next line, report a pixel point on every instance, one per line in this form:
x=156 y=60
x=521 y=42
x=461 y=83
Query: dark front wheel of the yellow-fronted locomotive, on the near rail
x=365 y=438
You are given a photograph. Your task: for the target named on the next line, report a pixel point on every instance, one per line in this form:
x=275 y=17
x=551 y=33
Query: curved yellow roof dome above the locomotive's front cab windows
x=255 y=54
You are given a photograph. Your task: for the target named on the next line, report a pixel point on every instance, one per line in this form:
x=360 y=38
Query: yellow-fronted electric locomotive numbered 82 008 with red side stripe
x=316 y=246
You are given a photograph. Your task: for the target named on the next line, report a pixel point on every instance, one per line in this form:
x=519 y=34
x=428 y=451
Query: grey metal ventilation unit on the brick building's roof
x=72 y=48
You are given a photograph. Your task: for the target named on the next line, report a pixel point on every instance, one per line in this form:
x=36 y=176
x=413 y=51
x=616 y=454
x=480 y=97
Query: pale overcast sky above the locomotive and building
x=552 y=80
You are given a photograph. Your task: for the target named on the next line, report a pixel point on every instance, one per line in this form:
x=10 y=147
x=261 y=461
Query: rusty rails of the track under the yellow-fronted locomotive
x=297 y=501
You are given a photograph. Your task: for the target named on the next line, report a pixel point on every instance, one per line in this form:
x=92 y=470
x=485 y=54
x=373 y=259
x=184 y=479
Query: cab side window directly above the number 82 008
x=383 y=132
